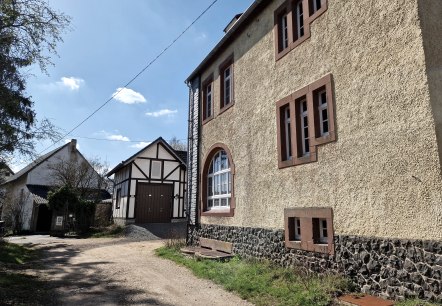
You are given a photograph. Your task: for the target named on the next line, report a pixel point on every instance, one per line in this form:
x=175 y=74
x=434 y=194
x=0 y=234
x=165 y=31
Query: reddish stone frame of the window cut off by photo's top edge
x=289 y=8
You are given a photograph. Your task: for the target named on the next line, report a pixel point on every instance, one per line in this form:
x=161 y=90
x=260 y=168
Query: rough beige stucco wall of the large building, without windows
x=383 y=175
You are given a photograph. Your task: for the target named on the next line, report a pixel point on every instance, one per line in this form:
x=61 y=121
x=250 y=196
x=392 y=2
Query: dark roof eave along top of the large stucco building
x=239 y=26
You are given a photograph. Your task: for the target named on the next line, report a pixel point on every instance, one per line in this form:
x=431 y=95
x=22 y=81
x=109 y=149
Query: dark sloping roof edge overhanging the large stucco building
x=242 y=21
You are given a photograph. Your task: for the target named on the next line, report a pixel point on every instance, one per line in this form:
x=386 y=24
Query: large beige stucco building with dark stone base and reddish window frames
x=315 y=133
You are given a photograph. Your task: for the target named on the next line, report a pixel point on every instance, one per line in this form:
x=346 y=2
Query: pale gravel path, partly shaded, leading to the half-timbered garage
x=120 y=272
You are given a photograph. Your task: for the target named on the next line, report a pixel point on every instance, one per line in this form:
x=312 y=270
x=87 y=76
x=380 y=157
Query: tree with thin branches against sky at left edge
x=29 y=33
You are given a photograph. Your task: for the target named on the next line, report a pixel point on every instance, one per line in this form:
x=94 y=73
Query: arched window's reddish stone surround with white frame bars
x=218 y=211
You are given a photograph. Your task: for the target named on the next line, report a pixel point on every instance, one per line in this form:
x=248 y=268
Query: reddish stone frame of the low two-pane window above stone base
x=307 y=218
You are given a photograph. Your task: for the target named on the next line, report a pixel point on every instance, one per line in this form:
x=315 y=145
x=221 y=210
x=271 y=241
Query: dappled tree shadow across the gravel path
x=81 y=284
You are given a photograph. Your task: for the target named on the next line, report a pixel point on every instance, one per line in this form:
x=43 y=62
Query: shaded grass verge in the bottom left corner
x=17 y=287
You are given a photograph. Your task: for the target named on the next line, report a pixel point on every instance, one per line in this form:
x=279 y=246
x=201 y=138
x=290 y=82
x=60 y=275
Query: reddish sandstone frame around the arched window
x=230 y=211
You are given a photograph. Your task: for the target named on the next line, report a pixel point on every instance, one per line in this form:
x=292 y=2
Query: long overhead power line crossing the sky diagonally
x=132 y=79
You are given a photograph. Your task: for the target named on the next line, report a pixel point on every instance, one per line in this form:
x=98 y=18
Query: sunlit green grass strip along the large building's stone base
x=262 y=283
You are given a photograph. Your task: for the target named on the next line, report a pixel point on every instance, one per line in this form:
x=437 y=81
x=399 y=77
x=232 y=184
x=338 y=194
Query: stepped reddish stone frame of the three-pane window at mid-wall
x=309 y=93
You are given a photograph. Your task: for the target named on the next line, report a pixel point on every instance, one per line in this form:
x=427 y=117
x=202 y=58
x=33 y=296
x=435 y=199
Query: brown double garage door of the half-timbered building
x=153 y=203
